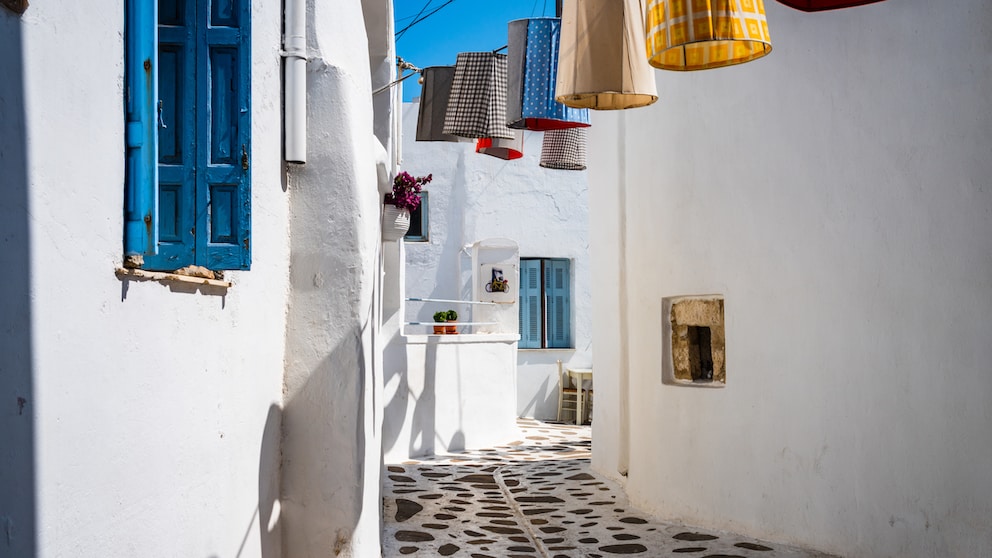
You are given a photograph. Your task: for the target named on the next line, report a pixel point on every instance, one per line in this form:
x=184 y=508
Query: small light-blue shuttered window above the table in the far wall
x=545 y=308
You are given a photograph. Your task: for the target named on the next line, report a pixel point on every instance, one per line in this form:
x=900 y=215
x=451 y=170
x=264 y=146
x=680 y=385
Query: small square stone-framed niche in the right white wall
x=694 y=341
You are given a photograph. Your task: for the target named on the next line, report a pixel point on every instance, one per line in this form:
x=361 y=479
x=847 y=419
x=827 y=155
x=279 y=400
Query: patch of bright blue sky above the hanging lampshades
x=461 y=26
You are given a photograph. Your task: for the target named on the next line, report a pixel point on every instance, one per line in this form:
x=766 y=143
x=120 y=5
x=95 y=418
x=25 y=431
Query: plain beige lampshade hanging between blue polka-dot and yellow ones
x=601 y=63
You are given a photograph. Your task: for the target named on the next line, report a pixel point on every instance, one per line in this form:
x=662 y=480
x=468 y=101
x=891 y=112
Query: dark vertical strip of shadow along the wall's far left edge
x=17 y=404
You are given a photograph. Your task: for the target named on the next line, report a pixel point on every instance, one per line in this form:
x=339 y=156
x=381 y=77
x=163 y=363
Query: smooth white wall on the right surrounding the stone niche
x=837 y=193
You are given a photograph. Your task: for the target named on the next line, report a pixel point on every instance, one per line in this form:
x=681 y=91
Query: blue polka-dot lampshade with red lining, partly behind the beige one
x=532 y=56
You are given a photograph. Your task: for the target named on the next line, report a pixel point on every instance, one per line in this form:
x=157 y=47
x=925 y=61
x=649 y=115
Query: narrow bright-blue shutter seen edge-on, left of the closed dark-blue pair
x=140 y=72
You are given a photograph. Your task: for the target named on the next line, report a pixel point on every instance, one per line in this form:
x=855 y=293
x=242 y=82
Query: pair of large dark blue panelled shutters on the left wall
x=204 y=132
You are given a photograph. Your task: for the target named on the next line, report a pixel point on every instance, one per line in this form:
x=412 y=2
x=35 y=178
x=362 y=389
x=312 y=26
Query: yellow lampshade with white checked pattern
x=699 y=34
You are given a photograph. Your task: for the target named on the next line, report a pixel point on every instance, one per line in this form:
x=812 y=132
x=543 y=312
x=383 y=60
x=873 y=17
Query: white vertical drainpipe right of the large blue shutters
x=295 y=52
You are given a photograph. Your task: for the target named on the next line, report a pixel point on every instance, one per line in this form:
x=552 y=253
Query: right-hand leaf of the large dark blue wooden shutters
x=223 y=197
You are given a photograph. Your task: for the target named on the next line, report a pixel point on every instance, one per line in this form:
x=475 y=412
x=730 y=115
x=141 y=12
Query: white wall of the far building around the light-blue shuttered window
x=473 y=197
